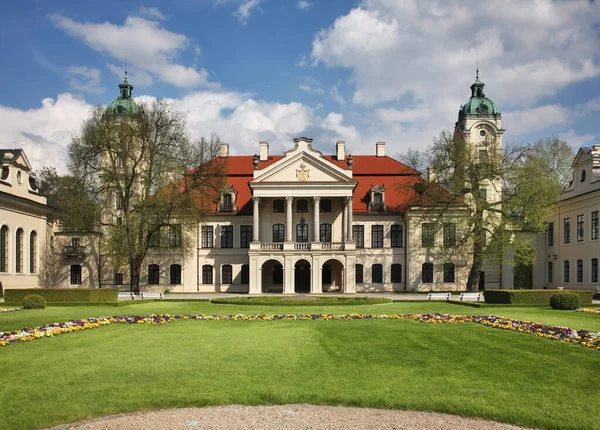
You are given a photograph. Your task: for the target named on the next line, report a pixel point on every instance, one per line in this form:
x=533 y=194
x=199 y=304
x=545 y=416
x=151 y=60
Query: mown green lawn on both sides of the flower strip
x=464 y=369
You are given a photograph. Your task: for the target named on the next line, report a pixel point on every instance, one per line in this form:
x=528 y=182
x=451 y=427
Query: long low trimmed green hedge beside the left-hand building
x=64 y=295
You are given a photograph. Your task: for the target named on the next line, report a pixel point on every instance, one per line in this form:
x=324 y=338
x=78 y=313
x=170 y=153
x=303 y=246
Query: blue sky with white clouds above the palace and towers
x=250 y=70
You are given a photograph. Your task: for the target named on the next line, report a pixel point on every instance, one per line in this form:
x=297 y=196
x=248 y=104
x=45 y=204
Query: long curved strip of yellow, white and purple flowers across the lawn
x=582 y=337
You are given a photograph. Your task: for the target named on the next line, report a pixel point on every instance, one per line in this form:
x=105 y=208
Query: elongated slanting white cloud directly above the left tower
x=149 y=48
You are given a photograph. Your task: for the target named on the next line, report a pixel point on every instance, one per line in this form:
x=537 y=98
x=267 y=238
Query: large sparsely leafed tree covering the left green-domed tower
x=148 y=176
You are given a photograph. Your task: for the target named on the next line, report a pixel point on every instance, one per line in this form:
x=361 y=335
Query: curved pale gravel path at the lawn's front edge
x=285 y=417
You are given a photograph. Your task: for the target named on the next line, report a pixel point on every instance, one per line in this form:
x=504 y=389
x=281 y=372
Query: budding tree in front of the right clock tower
x=507 y=190
